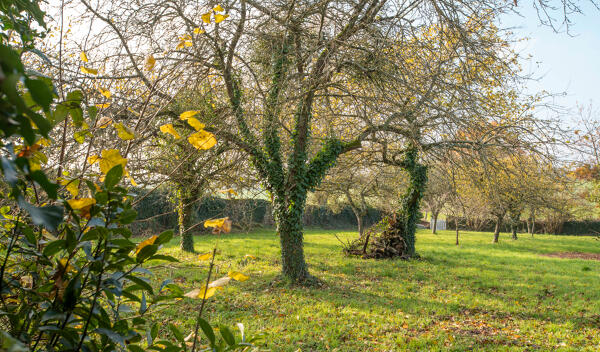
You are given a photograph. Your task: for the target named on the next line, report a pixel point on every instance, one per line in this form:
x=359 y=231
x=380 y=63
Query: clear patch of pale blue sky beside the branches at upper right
x=564 y=62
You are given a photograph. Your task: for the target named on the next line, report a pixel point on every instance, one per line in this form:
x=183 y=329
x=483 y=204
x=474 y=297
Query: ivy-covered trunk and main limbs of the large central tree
x=290 y=181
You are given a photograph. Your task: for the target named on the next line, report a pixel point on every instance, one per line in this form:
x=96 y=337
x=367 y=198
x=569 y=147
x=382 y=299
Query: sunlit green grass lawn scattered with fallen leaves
x=476 y=296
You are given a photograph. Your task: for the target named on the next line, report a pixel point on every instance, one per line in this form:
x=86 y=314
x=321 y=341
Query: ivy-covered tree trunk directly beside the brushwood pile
x=411 y=199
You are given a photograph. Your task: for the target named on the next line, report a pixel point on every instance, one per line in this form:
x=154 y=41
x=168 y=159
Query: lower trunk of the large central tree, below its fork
x=291 y=238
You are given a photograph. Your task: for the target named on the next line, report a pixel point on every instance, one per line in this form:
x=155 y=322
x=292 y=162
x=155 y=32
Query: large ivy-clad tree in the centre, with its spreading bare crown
x=289 y=81
